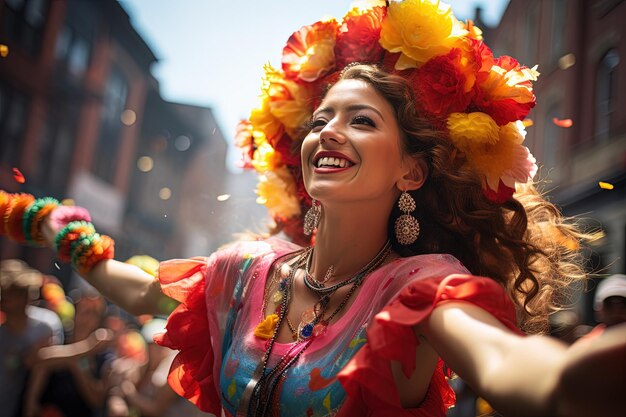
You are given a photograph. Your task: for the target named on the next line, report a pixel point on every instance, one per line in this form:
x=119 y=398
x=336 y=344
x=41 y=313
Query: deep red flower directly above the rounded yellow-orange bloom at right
x=441 y=85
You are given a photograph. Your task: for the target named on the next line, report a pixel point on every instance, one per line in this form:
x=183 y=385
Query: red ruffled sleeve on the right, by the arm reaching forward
x=368 y=379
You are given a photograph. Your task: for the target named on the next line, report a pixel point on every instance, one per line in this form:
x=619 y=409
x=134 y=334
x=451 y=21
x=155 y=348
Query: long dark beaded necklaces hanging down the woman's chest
x=264 y=387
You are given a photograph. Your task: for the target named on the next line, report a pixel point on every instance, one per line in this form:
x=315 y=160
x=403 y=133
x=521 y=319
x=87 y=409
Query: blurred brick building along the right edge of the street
x=580 y=47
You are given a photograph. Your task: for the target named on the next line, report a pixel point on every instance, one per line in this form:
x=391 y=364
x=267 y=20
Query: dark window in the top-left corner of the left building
x=23 y=23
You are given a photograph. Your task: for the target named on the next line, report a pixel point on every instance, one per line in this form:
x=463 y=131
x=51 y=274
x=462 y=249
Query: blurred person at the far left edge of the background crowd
x=23 y=332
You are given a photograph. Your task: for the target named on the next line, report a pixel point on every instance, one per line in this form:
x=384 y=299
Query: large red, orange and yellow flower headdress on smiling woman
x=477 y=100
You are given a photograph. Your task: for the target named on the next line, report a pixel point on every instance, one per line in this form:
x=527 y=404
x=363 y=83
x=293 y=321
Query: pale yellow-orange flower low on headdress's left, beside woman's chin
x=277 y=191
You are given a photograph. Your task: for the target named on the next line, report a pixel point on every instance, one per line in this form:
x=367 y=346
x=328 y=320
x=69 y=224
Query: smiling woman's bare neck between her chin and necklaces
x=348 y=238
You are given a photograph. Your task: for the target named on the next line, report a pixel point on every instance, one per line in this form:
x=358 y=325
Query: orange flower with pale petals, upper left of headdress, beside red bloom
x=309 y=52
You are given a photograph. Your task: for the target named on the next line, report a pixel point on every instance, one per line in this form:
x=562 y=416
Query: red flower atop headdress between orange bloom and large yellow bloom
x=357 y=40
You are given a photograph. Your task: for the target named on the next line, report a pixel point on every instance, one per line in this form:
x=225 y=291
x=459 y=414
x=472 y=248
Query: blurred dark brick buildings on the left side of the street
x=81 y=116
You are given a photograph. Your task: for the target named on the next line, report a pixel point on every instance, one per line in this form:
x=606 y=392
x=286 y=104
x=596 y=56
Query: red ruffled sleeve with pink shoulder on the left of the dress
x=211 y=292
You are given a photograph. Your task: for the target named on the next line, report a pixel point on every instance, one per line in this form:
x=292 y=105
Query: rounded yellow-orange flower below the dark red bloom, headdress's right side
x=469 y=130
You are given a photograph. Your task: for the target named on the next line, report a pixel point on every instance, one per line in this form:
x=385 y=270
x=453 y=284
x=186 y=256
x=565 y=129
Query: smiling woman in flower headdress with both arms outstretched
x=407 y=219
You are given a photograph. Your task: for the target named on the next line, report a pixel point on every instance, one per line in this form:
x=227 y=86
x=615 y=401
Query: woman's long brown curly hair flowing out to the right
x=525 y=244
